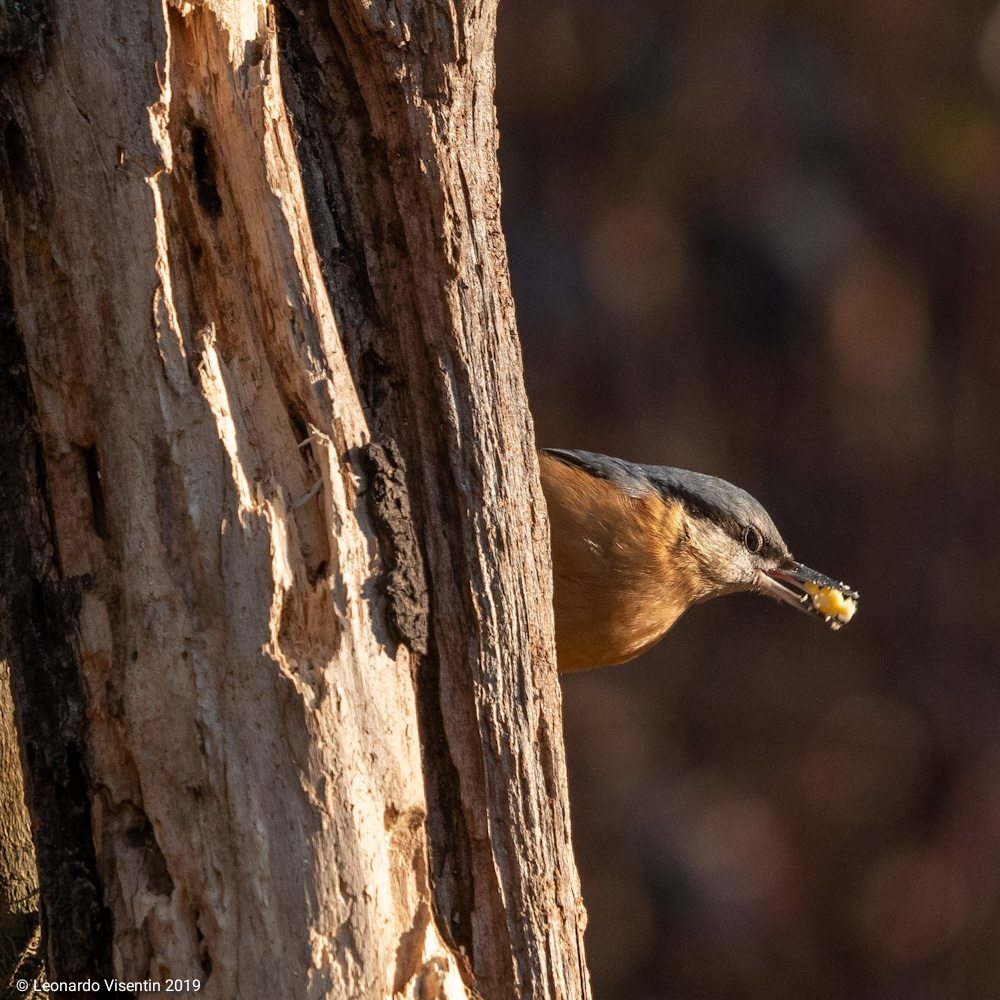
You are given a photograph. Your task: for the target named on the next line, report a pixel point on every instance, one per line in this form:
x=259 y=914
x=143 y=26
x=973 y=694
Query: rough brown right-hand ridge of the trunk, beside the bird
x=395 y=111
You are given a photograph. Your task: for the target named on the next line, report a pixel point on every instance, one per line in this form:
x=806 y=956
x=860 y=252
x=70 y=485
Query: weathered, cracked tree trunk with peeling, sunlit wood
x=278 y=602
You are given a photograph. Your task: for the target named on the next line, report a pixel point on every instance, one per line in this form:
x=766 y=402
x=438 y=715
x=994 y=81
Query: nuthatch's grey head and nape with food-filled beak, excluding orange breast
x=725 y=537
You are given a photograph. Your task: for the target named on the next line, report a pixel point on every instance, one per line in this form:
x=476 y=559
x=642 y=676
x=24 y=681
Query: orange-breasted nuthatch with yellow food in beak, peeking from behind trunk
x=633 y=546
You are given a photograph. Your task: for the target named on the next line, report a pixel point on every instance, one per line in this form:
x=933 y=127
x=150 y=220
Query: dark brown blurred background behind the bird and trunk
x=762 y=240
